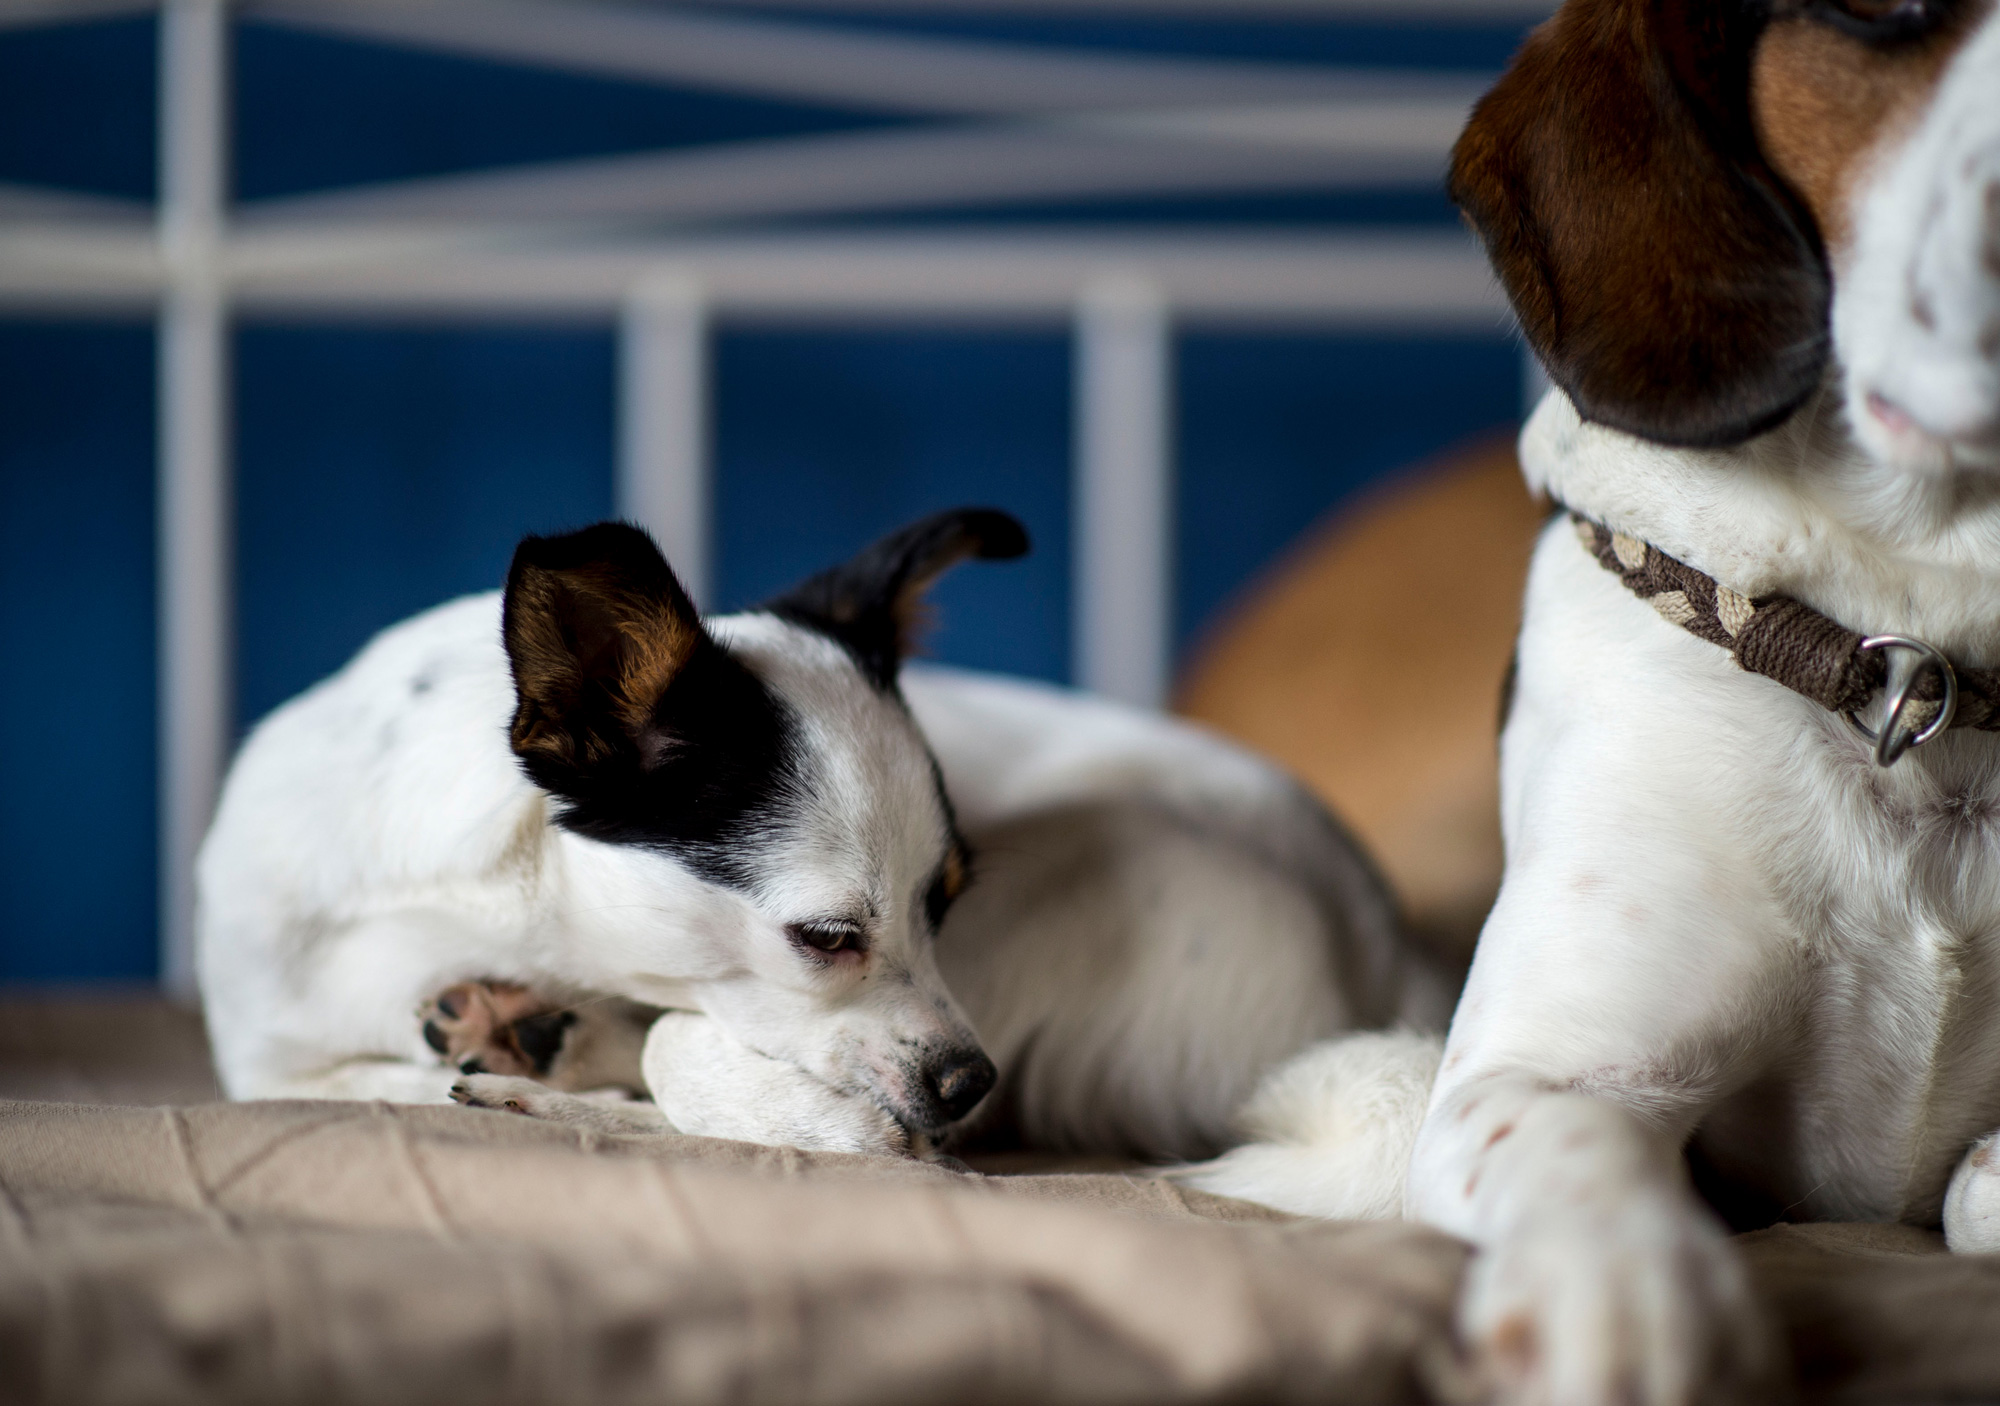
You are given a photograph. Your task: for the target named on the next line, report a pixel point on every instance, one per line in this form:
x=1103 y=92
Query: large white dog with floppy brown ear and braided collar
x=1751 y=783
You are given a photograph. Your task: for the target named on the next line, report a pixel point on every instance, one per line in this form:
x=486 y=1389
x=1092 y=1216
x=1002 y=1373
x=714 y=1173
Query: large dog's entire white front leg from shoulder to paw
x=1639 y=969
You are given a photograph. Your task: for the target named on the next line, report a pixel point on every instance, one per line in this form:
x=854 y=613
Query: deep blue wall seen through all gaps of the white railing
x=387 y=469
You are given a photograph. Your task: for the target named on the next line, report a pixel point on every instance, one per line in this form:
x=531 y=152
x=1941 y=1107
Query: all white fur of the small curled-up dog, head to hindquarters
x=379 y=843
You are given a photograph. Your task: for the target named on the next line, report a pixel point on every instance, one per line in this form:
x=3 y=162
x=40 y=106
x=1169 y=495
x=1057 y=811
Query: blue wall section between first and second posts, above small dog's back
x=381 y=471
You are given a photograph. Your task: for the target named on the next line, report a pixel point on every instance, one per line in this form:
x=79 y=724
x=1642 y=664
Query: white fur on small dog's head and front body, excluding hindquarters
x=379 y=843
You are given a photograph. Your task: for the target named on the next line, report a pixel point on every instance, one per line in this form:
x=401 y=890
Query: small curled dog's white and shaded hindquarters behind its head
x=1157 y=917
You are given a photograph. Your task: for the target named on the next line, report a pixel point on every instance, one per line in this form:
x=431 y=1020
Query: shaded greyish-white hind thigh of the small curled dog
x=1135 y=977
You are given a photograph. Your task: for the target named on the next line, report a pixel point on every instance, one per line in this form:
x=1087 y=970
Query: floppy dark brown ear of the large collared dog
x=1667 y=279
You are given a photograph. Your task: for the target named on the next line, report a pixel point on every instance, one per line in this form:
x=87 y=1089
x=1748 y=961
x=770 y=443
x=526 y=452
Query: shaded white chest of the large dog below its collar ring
x=1895 y=885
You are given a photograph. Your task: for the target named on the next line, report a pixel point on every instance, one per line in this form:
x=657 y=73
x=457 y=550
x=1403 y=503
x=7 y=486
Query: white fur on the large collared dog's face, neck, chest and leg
x=1721 y=921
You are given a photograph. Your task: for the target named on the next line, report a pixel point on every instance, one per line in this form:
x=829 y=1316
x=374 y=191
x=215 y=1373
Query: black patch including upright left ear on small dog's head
x=629 y=713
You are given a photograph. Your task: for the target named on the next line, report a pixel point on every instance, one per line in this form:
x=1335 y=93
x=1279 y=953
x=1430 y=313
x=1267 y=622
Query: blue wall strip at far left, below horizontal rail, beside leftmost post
x=77 y=619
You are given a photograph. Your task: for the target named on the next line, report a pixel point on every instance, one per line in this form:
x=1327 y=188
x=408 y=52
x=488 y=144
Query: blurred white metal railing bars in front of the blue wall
x=559 y=243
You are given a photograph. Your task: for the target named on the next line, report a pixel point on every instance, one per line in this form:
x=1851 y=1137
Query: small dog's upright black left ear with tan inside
x=597 y=627
